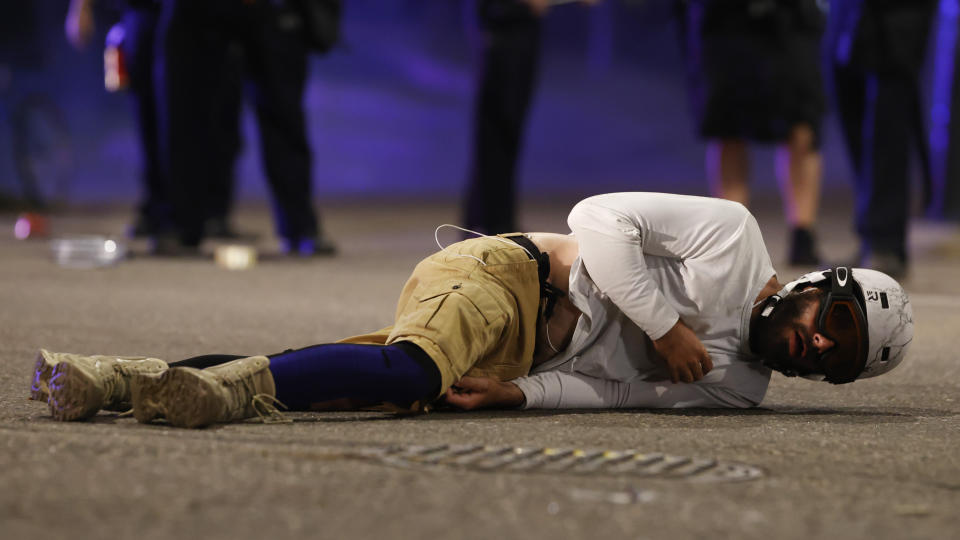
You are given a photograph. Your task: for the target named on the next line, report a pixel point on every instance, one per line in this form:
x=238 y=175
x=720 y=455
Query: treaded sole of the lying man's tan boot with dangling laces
x=181 y=395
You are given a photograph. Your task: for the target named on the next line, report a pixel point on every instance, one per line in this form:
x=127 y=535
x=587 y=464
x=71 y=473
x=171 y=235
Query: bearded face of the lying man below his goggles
x=789 y=338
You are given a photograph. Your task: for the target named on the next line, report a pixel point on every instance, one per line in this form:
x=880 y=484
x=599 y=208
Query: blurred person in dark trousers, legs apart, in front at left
x=196 y=37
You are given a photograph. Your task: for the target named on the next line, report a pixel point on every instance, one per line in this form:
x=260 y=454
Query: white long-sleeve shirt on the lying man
x=645 y=260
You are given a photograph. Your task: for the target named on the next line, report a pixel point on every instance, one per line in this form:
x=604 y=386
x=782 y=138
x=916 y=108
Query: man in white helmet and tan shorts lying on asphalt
x=654 y=300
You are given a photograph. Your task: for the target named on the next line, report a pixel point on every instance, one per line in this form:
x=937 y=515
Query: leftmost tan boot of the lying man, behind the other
x=78 y=386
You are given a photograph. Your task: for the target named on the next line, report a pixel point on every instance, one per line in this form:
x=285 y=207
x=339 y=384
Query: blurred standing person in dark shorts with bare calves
x=754 y=73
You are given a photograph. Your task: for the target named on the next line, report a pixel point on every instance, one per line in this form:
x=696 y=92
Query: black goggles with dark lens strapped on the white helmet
x=841 y=319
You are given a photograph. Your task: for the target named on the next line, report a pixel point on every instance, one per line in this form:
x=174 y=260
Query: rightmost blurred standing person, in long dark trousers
x=877 y=50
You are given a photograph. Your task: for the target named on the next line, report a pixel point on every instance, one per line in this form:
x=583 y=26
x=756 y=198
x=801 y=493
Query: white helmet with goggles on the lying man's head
x=868 y=317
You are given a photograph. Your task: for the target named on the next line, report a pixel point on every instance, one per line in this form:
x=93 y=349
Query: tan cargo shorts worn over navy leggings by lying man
x=472 y=318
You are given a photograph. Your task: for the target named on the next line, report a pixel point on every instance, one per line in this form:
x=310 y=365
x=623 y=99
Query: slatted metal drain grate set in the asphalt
x=563 y=461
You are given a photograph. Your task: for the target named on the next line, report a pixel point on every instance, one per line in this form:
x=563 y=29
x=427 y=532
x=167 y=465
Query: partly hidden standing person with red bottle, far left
x=133 y=39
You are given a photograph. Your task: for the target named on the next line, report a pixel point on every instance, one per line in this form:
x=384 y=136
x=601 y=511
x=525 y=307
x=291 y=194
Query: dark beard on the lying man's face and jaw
x=771 y=336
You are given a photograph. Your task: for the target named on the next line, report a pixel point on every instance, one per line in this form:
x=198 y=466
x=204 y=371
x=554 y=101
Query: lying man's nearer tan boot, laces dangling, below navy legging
x=192 y=398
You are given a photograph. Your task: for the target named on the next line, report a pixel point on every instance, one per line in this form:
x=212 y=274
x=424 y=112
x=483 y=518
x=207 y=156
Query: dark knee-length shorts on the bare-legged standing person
x=754 y=75
